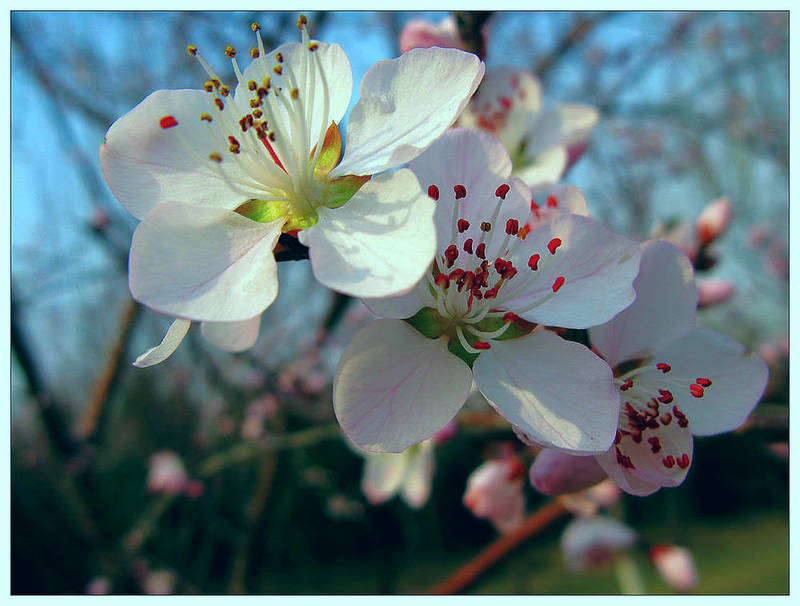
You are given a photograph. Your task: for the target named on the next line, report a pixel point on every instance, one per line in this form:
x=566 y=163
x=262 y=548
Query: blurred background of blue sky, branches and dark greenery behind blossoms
x=264 y=495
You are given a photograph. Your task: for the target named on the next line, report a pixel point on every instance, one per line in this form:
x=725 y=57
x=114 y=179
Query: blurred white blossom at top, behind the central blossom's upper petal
x=542 y=144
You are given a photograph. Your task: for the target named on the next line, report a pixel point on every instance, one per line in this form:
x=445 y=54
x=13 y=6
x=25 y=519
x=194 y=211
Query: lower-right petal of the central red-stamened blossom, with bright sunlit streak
x=558 y=392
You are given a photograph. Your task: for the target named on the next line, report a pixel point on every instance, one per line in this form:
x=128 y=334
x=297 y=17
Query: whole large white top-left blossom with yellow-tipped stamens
x=216 y=176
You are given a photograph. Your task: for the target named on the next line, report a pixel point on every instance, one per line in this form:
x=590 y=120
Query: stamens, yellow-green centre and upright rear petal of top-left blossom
x=276 y=142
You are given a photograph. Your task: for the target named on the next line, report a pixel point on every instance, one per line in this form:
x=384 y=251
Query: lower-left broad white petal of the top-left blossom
x=204 y=263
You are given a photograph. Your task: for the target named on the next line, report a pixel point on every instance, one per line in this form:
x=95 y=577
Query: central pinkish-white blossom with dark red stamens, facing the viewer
x=476 y=314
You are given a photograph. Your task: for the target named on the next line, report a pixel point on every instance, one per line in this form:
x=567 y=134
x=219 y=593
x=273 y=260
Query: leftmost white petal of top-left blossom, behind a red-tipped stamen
x=145 y=164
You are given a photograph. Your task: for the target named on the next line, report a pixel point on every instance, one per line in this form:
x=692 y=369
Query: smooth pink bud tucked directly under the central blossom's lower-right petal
x=555 y=473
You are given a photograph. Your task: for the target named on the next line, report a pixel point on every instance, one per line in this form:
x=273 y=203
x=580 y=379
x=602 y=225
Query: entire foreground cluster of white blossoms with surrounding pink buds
x=462 y=241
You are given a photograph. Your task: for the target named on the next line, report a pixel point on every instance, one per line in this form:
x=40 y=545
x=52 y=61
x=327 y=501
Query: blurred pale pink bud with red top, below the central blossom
x=494 y=491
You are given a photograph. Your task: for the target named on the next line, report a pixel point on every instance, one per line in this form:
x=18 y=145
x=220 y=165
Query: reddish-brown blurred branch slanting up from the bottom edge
x=496 y=551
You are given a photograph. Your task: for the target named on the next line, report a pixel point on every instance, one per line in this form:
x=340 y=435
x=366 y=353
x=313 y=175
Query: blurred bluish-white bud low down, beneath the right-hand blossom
x=594 y=541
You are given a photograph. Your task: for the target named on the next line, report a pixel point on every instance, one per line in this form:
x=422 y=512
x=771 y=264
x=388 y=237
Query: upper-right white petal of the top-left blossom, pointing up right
x=405 y=104
